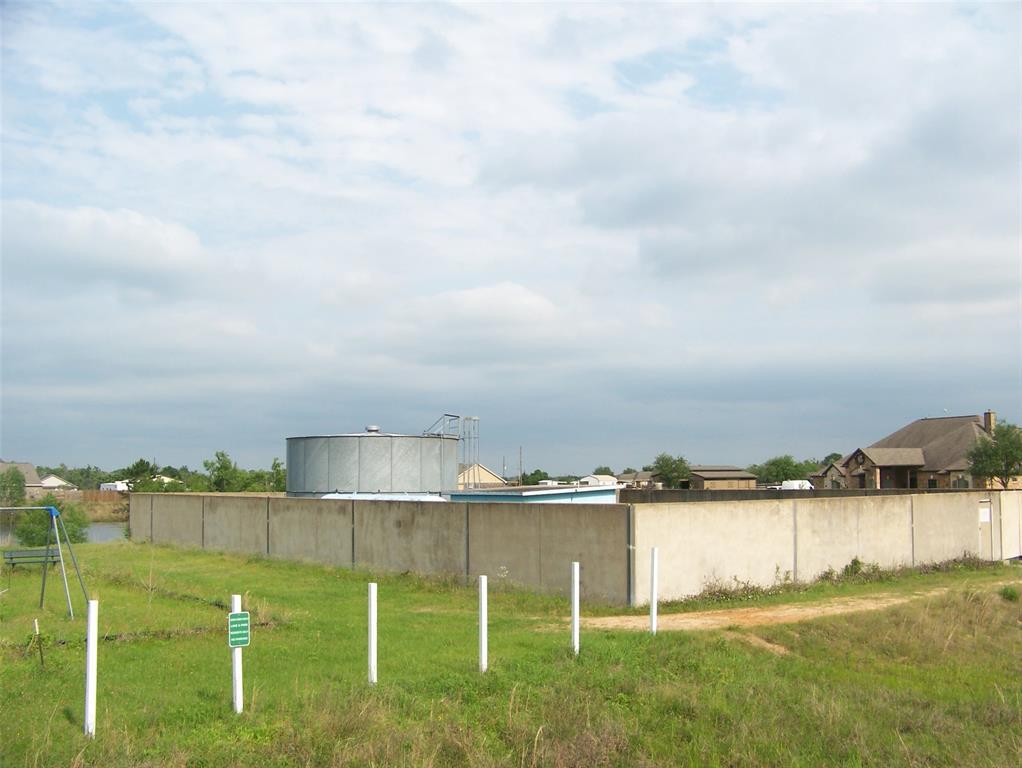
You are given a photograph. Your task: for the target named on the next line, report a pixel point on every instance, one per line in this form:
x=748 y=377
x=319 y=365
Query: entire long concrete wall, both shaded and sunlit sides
x=533 y=546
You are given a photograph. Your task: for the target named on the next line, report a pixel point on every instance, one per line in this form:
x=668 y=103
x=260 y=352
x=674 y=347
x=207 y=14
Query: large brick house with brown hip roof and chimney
x=926 y=454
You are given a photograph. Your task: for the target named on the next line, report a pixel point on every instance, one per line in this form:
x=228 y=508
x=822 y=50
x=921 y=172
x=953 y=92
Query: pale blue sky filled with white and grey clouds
x=722 y=232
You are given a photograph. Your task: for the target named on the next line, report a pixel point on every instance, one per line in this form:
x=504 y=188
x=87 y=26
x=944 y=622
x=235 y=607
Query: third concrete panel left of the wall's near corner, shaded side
x=312 y=530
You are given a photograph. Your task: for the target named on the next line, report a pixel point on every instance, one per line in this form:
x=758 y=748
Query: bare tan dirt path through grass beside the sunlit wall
x=757 y=617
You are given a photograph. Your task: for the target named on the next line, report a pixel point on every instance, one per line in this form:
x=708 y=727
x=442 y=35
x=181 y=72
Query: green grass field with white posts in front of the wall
x=936 y=682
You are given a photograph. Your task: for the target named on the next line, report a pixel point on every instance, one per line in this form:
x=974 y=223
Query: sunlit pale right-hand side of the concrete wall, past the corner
x=762 y=543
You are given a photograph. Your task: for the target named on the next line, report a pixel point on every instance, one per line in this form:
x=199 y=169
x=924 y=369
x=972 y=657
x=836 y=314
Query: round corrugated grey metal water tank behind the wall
x=371 y=462
